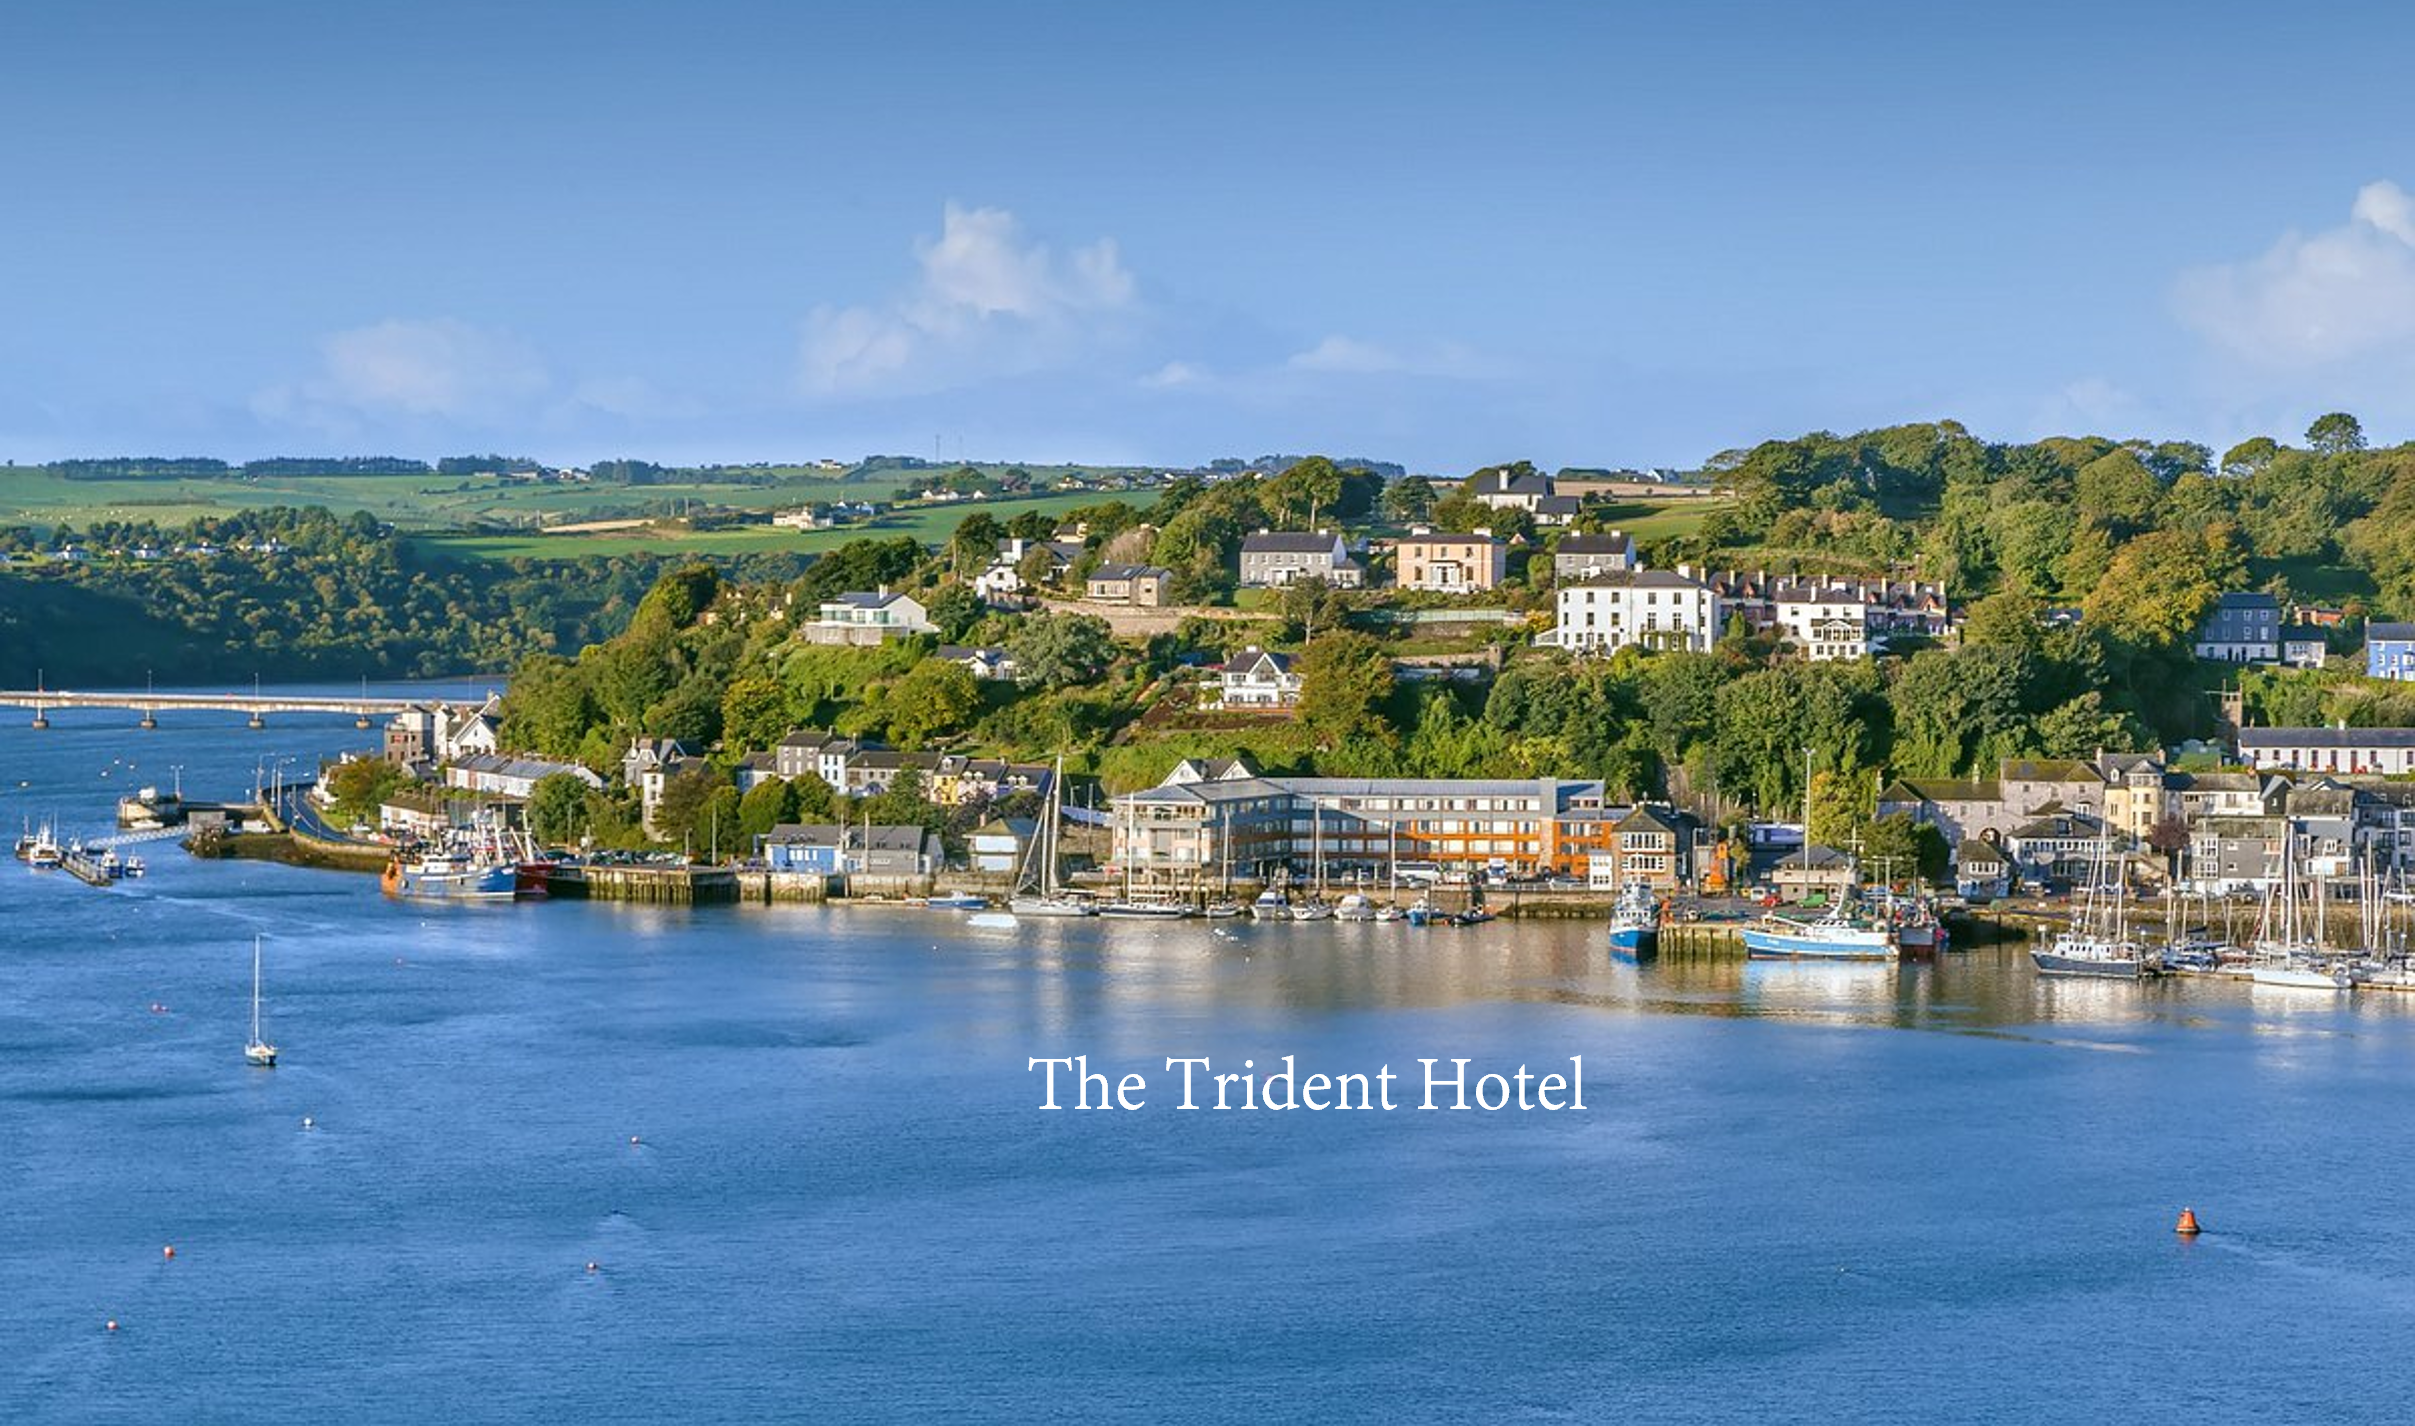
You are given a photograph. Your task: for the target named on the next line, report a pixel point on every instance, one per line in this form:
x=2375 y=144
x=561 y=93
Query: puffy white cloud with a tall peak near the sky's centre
x=984 y=303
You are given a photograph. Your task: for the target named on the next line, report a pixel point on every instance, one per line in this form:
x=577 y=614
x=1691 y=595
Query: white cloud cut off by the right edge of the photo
x=2315 y=298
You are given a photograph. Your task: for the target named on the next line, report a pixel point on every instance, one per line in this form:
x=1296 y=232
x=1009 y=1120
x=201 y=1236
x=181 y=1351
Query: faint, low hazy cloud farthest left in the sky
x=412 y=369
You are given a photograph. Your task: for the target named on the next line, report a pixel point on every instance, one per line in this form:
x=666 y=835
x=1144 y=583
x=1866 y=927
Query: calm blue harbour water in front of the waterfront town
x=1808 y=1193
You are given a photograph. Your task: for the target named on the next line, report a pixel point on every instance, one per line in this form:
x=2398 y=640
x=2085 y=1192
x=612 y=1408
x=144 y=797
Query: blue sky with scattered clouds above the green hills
x=1165 y=233
